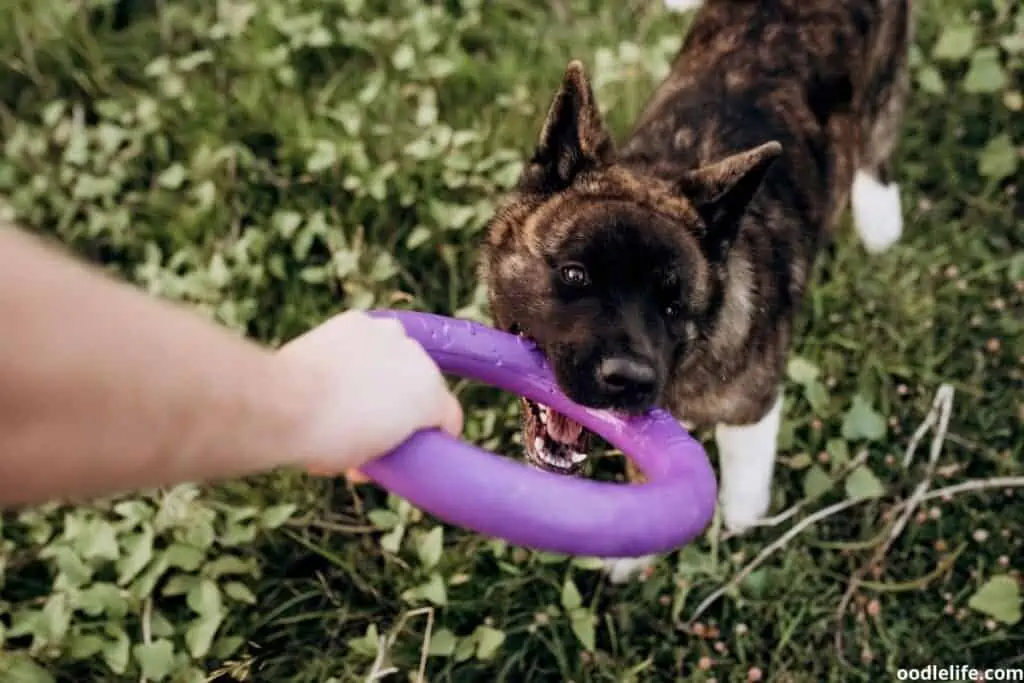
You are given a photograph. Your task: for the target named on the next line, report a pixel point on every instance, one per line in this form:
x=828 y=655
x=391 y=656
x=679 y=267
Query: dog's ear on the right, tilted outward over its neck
x=721 y=193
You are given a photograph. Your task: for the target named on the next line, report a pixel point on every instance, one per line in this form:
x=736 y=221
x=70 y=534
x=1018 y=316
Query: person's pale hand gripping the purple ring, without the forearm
x=370 y=389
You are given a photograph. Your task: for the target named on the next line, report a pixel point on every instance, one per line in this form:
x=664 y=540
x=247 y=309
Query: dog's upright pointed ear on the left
x=574 y=137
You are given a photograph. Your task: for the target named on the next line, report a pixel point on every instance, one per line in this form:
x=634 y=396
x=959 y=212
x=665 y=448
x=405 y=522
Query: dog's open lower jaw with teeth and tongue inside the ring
x=553 y=442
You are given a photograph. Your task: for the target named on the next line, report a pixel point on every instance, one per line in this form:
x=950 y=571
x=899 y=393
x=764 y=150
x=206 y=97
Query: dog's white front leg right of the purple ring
x=747 y=459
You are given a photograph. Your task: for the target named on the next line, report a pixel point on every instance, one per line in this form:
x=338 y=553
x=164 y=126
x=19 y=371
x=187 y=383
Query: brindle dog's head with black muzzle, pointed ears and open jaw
x=610 y=270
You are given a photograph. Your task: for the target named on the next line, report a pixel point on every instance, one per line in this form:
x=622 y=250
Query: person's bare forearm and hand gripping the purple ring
x=105 y=390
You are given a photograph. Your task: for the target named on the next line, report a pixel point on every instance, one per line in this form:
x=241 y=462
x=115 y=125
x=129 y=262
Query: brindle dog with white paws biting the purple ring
x=667 y=272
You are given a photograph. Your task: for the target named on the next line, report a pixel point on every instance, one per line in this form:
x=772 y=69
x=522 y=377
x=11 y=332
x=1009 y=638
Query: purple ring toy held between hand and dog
x=498 y=497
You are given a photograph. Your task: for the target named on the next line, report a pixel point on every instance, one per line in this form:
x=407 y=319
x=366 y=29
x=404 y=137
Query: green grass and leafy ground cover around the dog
x=275 y=161
